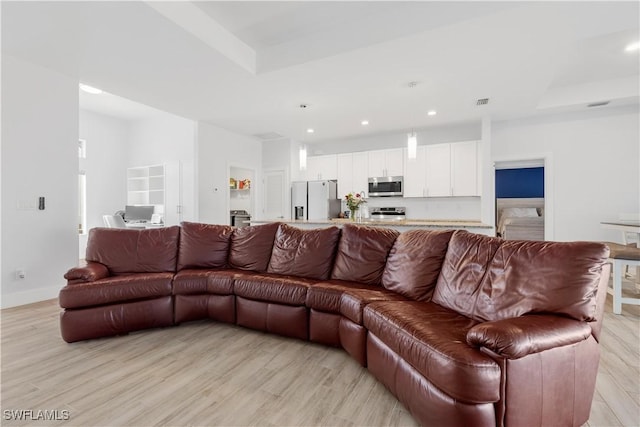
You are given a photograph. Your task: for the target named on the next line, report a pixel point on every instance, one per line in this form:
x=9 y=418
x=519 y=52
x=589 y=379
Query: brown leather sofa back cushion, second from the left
x=203 y=245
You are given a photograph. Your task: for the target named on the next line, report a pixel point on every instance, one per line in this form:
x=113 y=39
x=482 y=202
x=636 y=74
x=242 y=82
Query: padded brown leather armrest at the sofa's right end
x=517 y=337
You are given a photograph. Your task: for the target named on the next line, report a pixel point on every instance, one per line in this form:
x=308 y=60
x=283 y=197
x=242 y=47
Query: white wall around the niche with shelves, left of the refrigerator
x=219 y=149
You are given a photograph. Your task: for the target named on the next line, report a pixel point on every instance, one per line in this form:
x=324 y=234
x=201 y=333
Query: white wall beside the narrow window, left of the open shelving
x=105 y=166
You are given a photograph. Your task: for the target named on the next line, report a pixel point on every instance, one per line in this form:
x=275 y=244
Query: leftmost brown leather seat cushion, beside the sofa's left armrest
x=116 y=289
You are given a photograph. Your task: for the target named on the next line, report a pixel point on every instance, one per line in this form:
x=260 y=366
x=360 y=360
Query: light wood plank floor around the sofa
x=207 y=373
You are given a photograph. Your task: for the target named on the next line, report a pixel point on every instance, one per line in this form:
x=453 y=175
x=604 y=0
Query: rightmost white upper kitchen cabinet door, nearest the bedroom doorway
x=464 y=169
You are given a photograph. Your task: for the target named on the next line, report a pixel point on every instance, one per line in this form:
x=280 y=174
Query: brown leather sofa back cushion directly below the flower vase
x=362 y=253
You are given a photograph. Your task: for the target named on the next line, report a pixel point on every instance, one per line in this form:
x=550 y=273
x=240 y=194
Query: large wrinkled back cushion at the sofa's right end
x=487 y=278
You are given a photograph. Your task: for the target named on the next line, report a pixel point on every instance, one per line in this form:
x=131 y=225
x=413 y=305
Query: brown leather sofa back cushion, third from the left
x=251 y=247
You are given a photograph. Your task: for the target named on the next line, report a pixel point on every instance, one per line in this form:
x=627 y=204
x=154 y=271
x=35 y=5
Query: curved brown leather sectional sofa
x=464 y=329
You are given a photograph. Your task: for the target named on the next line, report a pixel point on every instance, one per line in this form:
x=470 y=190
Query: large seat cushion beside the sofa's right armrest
x=432 y=339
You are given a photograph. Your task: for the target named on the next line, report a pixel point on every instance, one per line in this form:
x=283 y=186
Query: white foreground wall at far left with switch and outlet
x=39 y=158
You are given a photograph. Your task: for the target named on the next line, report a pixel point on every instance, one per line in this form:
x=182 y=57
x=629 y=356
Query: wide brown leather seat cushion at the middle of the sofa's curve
x=274 y=288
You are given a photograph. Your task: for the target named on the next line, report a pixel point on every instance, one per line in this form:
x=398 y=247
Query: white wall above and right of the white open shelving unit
x=170 y=140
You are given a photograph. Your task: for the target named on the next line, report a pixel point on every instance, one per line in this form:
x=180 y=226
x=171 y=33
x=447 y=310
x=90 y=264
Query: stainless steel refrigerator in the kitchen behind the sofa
x=314 y=200
